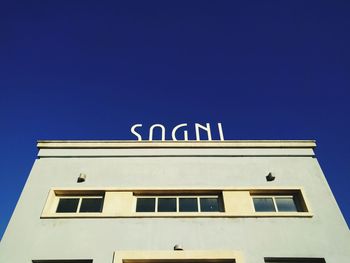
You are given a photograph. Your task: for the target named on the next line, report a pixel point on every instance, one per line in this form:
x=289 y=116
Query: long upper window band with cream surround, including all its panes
x=117 y=203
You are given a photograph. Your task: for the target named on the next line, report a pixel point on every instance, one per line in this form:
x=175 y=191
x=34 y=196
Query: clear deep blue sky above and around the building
x=91 y=69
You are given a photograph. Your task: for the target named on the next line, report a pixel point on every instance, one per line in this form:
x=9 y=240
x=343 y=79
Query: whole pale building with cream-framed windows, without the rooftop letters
x=164 y=202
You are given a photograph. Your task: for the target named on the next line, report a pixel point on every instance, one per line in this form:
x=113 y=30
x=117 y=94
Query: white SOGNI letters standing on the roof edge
x=181 y=128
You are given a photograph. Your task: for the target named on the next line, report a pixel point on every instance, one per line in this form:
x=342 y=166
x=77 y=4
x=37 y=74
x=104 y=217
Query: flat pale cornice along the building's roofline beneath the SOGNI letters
x=103 y=148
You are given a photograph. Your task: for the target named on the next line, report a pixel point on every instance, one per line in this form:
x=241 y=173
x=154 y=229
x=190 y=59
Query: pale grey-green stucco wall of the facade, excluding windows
x=324 y=235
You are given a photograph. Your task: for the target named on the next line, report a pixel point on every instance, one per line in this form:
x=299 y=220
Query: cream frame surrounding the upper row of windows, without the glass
x=234 y=202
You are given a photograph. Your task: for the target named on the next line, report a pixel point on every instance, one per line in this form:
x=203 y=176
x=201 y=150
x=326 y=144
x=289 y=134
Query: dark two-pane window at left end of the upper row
x=80 y=204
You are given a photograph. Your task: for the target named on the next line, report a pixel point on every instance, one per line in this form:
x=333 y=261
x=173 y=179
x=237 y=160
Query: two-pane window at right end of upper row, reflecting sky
x=278 y=203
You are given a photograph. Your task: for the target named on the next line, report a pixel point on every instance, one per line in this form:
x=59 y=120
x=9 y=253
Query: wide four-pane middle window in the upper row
x=180 y=203
